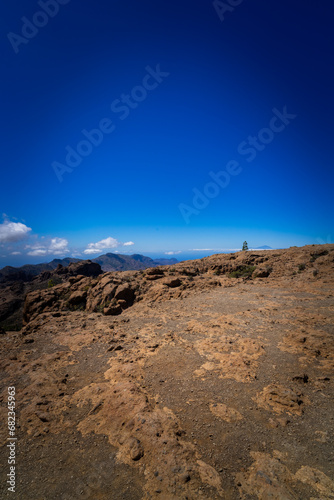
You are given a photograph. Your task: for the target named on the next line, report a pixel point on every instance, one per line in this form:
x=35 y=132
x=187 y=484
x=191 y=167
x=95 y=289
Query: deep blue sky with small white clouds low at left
x=180 y=92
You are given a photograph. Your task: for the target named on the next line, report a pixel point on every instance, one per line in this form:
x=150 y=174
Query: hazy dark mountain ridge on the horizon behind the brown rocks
x=108 y=262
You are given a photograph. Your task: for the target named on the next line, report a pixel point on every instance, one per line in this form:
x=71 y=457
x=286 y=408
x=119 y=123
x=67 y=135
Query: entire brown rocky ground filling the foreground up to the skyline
x=207 y=379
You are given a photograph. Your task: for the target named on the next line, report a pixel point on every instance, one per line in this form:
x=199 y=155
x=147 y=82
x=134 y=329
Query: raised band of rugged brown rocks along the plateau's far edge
x=111 y=293
